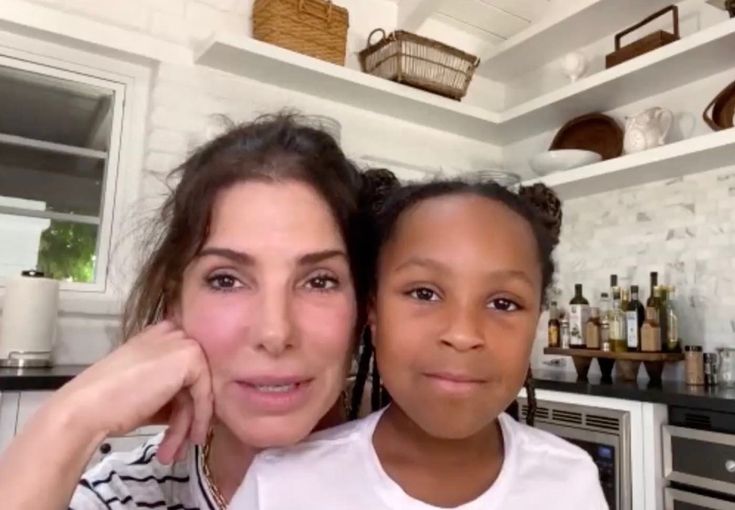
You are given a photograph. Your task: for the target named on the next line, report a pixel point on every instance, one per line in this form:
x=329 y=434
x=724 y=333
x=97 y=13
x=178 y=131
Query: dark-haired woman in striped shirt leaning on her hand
x=241 y=327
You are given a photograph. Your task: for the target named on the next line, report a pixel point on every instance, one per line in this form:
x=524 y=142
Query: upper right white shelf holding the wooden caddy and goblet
x=702 y=54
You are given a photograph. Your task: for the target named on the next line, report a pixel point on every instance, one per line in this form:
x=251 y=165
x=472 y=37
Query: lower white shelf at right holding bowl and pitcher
x=699 y=154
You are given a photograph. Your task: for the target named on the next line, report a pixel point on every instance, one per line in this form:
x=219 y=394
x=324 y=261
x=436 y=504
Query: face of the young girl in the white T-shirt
x=458 y=301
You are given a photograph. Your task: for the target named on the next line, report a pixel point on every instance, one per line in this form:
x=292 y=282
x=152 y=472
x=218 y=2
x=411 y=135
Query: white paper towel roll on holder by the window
x=29 y=319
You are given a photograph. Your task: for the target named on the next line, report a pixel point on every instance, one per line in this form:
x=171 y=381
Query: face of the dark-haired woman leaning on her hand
x=271 y=301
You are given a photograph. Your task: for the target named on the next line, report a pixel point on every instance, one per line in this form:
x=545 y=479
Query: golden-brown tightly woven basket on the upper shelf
x=317 y=28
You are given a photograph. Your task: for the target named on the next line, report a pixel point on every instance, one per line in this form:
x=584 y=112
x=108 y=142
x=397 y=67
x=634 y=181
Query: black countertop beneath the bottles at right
x=676 y=393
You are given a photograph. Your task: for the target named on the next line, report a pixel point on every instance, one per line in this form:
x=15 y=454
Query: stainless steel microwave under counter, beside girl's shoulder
x=603 y=433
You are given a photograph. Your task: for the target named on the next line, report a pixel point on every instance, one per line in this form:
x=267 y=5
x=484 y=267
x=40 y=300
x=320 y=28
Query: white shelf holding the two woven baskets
x=277 y=66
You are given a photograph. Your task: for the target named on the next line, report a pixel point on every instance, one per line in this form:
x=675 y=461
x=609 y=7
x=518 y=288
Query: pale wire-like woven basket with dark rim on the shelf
x=419 y=62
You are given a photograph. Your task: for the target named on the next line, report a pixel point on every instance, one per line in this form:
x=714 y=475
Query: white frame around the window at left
x=123 y=173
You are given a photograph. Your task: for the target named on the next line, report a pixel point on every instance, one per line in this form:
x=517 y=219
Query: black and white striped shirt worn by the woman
x=135 y=480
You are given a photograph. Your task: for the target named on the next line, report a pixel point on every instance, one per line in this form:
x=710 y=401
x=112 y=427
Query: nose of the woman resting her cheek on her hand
x=275 y=335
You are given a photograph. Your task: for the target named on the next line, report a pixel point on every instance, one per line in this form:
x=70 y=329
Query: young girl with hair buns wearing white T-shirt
x=461 y=276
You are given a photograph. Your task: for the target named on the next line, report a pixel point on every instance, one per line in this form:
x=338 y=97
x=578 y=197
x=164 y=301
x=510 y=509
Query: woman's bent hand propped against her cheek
x=160 y=371
